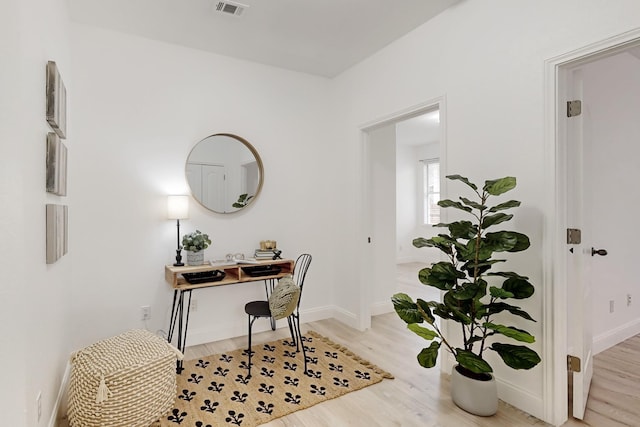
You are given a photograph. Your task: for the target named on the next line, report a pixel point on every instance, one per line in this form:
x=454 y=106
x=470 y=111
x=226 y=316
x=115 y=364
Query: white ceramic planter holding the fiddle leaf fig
x=474 y=396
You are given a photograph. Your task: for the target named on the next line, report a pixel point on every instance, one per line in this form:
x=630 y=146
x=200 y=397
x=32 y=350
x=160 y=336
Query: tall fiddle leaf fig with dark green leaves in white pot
x=478 y=299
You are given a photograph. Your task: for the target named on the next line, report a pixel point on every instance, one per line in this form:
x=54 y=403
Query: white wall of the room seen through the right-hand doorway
x=611 y=107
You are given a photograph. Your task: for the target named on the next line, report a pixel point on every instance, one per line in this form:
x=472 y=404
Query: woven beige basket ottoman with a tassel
x=125 y=381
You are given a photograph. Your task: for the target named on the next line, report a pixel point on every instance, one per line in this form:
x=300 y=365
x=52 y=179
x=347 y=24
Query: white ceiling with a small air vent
x=320 y=37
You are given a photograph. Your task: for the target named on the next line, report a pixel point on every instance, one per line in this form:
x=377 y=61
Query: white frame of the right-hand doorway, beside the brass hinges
x=555 y=297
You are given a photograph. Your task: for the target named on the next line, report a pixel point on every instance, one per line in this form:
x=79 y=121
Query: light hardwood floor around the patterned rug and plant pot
x=420 y=397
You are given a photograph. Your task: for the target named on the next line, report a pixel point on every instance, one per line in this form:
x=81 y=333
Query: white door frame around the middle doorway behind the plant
x=364 y=316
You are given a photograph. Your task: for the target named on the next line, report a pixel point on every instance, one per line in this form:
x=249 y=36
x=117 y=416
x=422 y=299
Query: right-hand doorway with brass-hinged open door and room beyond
x=593 y=189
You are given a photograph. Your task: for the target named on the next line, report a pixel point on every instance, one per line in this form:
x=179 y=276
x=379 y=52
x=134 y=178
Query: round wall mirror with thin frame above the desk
x=224 y=173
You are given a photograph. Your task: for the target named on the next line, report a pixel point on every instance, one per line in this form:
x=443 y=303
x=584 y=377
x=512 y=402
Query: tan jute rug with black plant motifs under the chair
x=215 y=391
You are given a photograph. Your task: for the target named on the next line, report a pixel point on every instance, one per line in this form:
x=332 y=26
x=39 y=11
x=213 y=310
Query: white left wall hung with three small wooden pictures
x=35 y=296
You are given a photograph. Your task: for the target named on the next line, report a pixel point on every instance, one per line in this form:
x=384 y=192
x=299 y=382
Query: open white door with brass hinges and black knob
x=580 y=324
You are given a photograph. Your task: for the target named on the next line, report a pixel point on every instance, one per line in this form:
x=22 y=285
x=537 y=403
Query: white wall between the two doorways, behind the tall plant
x=487 y=59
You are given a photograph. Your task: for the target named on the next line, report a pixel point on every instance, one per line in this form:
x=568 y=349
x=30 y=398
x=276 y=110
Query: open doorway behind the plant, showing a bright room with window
x=393 y=150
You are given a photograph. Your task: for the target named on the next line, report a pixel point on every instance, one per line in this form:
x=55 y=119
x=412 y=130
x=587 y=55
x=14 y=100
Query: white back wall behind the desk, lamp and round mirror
x=139 y=107
